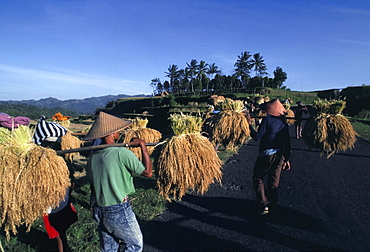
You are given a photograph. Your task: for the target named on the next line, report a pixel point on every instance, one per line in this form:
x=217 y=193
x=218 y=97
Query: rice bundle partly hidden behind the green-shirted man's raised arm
x=138 y=129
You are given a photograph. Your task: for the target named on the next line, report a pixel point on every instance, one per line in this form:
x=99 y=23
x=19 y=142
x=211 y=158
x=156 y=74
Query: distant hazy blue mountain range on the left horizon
x=80 y=106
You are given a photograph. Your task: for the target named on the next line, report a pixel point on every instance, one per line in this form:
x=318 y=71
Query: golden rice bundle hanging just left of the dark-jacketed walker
x=229 y=127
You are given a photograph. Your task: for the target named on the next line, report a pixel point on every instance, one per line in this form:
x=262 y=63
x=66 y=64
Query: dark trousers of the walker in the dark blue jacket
x=270 y=166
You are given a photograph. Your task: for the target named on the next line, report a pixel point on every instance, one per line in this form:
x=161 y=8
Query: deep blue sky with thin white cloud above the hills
x=76 y=49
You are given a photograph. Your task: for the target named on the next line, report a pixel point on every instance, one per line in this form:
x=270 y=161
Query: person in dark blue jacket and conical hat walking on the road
x=274 y=154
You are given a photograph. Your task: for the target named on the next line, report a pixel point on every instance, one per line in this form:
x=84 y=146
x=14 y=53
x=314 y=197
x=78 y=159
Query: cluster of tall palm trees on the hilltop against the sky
x=201 y=77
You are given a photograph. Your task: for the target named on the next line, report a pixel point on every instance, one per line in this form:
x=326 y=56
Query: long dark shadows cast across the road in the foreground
x=226 y=224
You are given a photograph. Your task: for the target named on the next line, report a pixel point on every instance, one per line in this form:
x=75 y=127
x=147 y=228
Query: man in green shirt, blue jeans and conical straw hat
x=110 y=173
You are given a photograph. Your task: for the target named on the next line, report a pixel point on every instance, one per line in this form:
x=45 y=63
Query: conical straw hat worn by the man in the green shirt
x=106 y=124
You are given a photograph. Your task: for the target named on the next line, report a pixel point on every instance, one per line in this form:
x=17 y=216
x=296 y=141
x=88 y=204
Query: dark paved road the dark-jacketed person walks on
x=323 y=205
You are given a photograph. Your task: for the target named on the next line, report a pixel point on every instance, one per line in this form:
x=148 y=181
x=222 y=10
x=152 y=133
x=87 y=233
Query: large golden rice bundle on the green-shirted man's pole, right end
x=187 y=161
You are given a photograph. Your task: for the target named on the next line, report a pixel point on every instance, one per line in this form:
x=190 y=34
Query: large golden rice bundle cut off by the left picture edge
x=33 y=179
